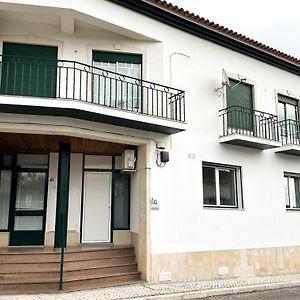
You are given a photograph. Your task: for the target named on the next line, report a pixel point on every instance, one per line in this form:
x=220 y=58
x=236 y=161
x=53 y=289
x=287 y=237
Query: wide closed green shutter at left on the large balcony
x=28 y=70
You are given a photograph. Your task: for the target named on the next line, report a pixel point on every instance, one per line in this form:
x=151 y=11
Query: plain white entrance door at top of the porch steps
x=96 y=219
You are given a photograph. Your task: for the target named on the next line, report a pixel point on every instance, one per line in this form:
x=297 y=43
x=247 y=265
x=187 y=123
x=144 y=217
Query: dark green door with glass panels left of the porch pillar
x=29 y=212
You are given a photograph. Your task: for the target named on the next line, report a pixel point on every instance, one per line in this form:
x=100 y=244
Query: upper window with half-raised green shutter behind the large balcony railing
x=111 y=88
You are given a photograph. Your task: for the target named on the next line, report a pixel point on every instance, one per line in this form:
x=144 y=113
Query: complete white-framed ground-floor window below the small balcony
x=221 y=186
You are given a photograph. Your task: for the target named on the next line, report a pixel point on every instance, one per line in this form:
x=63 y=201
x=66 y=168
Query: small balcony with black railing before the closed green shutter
x=249 y=128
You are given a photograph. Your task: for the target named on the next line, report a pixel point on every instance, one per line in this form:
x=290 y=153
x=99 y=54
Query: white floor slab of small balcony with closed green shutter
x=249 y=141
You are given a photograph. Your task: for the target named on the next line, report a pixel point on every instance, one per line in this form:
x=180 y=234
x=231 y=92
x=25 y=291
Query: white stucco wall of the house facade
x=182 y=224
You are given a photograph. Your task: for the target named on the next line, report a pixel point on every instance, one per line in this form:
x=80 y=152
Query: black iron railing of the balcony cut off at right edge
x=290 y=132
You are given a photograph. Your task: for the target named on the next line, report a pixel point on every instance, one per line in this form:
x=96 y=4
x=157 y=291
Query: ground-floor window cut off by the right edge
x=292 y=190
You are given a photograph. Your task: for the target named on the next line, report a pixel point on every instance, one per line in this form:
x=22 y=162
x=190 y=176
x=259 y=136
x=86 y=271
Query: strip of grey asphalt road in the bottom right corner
x=282 y=294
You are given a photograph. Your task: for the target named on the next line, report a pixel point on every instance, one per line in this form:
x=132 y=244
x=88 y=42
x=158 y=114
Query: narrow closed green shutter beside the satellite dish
x=239 y=105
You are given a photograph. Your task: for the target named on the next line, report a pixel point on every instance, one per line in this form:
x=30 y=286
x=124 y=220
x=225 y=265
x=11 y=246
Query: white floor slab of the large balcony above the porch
x=88 y=111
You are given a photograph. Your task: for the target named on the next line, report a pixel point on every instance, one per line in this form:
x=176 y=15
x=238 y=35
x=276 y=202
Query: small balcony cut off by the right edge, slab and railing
x=290 y=137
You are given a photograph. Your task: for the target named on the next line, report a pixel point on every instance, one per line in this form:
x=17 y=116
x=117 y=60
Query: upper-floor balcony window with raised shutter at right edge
x=289 y=117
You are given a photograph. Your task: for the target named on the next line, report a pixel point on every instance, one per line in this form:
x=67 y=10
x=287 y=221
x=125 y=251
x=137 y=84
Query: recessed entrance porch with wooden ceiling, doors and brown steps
x=99 y=209
